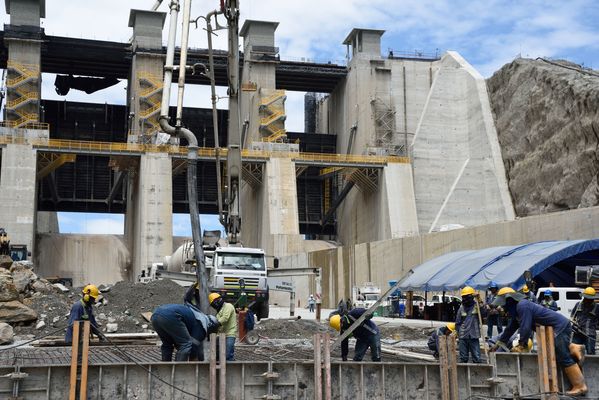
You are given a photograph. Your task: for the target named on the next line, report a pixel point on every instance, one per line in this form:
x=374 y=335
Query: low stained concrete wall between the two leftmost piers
x=98 y=259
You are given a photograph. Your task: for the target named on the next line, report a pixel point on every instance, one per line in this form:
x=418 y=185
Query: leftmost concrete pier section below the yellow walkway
x=18 y=193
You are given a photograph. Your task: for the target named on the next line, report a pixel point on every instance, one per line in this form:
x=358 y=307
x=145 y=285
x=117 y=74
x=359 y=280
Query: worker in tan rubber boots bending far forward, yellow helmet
x=524 y=316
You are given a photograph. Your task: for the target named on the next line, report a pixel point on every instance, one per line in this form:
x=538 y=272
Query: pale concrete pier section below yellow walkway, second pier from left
x=149 y=220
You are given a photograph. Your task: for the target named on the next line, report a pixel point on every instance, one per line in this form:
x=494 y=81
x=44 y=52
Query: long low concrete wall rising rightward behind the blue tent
x=381 y=261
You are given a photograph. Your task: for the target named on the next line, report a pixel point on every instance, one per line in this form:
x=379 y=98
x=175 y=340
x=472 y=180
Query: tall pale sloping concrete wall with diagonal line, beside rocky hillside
x=458 y=170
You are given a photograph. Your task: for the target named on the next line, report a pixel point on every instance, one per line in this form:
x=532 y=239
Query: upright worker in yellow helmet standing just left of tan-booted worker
x=467 y=325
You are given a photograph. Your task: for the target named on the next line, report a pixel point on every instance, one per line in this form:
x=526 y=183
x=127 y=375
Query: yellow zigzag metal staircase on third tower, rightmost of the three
x=272 y=116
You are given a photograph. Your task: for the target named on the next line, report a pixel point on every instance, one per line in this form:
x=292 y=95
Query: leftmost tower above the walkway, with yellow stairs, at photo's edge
x=23 y=38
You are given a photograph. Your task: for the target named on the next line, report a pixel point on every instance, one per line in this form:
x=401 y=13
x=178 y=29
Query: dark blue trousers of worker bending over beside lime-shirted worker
x=174 y=334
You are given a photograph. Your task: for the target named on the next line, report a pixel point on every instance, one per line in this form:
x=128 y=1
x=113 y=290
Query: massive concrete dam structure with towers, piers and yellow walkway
x=415 y=144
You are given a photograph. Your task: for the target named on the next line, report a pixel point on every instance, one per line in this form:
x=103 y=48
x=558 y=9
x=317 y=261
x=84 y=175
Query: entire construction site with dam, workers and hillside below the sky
x=348 y=252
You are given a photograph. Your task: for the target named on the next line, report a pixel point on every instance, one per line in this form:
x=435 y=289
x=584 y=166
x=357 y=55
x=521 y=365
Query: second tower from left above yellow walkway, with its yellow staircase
x=144 y=92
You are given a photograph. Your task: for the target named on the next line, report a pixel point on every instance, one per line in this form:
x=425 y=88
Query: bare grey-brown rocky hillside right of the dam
x=547 y=118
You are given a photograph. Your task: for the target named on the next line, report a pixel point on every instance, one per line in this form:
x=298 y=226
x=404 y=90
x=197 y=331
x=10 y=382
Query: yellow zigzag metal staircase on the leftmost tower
x=22 y=94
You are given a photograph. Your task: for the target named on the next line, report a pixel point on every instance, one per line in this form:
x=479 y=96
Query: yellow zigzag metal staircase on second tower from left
x=150 y=98
